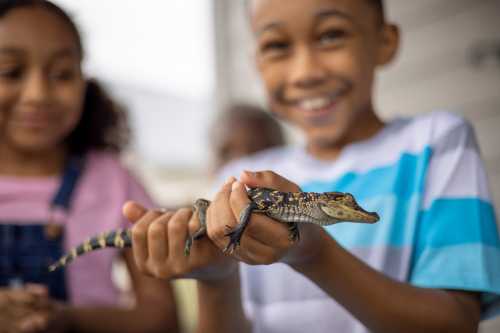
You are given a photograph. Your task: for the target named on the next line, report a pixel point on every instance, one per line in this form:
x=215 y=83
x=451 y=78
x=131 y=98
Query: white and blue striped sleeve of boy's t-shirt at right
x=457 y=241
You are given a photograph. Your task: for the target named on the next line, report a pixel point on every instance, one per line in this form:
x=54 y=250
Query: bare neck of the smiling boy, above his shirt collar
x=365 y=130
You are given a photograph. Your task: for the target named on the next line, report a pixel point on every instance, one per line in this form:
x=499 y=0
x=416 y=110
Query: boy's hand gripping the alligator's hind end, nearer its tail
x=158 y=240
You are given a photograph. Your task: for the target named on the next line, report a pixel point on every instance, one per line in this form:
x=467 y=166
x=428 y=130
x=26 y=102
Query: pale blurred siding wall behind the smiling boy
x=433 y=70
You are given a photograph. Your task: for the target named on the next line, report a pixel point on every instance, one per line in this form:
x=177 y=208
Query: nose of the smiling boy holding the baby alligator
x=306 y=70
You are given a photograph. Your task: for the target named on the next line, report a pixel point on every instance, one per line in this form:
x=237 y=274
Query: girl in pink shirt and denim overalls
x=60 y=182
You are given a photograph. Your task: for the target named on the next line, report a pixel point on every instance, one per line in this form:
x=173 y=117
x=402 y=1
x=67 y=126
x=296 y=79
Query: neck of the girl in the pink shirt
x=31 y=164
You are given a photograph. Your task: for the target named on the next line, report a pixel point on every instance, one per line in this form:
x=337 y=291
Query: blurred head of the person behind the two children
x=241 y=130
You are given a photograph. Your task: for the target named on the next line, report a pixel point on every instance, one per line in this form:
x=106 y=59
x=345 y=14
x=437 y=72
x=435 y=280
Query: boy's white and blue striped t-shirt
x=425 y=178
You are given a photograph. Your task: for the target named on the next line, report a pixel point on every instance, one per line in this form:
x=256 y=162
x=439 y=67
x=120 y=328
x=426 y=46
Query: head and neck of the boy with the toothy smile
x=317 y=59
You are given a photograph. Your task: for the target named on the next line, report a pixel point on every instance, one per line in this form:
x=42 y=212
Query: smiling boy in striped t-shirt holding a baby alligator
x=431 y=264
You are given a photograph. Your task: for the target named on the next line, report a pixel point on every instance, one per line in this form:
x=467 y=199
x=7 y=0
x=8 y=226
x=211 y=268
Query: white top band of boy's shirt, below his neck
x=401 y=136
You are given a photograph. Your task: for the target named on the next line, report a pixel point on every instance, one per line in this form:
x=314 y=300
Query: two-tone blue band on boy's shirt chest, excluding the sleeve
x=393 y=191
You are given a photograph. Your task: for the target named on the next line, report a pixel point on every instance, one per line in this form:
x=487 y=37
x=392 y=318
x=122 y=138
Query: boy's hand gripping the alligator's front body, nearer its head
x=265 y=240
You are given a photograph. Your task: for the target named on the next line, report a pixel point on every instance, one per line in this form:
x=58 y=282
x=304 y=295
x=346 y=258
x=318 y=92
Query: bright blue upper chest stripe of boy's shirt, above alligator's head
x=404 y=178
